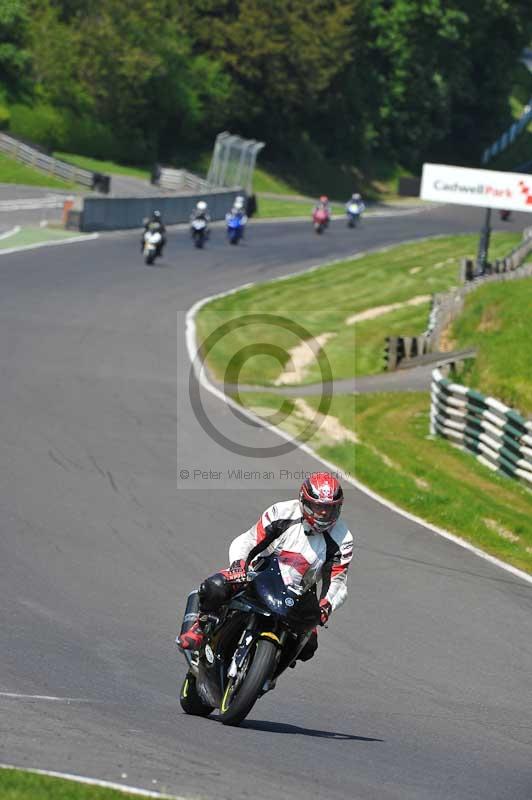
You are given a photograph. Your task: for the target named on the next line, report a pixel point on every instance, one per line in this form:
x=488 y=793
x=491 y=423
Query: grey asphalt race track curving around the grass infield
x=422 y=684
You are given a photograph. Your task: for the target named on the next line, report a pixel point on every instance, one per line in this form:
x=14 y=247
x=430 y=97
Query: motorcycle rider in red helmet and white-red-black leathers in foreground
x=311 y=543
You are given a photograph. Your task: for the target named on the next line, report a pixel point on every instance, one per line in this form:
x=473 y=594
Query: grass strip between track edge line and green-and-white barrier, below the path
x=395 y=457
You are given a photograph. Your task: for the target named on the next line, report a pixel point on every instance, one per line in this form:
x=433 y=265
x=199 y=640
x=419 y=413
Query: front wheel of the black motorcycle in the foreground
x=239 y=698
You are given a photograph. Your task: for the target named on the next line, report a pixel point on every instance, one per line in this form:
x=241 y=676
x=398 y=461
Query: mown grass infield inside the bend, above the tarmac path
x=322 y=300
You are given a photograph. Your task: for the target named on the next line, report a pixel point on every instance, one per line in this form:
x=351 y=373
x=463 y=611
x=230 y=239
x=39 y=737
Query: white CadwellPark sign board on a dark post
x=476 y=187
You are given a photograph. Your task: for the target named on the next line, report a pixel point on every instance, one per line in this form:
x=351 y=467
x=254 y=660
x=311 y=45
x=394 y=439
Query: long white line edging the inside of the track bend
x=191 y=343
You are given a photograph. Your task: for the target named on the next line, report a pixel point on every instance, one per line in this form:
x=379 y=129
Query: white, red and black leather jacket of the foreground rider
x=305 y=557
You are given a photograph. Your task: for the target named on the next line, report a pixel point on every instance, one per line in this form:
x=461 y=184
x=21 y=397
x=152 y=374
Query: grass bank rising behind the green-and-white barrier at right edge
x=496 y=320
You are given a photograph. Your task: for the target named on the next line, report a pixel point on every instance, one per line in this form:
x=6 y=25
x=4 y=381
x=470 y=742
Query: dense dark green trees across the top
x=352 y=80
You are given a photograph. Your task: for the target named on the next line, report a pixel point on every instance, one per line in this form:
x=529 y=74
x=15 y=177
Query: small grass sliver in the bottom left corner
x=19 y=785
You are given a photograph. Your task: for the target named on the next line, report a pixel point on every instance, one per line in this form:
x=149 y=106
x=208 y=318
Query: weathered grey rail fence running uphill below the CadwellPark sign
x=447 y=306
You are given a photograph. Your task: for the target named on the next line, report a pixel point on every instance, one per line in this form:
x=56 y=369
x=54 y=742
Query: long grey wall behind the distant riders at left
x=115 y=213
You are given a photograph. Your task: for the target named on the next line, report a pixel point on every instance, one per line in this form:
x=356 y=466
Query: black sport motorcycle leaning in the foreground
x=248 y=644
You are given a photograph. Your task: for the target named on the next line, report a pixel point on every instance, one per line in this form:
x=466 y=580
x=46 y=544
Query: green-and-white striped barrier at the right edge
x=498 y=436
